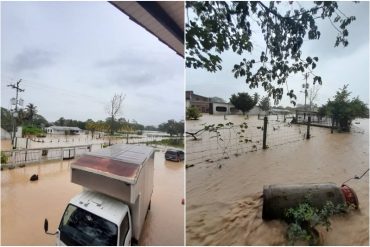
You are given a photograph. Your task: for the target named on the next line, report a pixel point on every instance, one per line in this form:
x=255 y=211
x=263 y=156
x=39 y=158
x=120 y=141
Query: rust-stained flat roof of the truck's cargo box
x=121 y=161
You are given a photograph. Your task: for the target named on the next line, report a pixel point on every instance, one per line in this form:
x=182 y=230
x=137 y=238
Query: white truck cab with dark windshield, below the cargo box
x=92 y=218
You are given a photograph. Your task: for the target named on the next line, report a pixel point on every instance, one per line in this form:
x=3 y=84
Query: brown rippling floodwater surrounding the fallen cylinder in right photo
x=224 y=204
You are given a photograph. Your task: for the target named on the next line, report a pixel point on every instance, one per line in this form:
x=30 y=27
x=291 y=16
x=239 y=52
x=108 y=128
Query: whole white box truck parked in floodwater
x=111 y=209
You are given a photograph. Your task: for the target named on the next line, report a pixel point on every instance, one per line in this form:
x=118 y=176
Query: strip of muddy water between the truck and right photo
x=165 y=222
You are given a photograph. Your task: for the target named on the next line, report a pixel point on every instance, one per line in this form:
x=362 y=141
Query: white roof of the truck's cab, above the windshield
x=101 y=205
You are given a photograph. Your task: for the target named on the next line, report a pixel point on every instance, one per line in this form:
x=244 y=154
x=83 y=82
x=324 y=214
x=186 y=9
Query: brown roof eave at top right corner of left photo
x=165 y=20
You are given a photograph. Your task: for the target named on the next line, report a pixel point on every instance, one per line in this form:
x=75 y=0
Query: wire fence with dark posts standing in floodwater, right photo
x=221 y=141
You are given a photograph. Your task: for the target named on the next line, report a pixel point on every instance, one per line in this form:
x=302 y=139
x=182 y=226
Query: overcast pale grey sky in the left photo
x=74 y=56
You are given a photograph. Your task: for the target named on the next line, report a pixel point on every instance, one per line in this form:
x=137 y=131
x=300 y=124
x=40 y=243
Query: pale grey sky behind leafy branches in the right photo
x=337 y=66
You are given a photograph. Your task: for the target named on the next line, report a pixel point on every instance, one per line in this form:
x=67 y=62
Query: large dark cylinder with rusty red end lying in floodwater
x=278 y=198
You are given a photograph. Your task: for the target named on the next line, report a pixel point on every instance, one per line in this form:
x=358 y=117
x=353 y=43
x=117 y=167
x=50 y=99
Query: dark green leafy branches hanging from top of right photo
x=218 y=26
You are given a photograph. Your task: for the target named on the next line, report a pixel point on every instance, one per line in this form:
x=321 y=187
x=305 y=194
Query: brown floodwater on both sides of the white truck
x=25 y=204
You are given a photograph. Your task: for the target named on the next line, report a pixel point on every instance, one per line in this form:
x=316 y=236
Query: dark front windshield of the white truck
x=80 y=227
